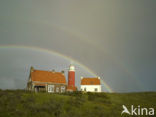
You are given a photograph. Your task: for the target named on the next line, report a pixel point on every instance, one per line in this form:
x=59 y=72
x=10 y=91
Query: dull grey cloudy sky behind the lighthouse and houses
x=116 y=39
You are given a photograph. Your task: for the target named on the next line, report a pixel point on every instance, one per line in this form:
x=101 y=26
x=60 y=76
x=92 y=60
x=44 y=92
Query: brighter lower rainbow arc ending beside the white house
x=57 y=54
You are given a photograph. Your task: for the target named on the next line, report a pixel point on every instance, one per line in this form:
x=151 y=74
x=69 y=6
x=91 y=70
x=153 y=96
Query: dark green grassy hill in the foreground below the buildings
x=20 y=103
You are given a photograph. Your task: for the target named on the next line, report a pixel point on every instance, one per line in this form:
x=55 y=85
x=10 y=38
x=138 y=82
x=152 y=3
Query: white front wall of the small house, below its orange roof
x=91 y=88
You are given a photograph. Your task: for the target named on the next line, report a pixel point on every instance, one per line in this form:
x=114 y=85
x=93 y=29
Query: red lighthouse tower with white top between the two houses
x=71 y=78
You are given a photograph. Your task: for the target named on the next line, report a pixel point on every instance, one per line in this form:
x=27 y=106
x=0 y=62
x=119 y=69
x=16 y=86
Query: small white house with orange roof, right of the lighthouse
x=90 y=84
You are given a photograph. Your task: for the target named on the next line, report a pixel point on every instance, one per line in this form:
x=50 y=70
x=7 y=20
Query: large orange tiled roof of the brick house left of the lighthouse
x=48 y=76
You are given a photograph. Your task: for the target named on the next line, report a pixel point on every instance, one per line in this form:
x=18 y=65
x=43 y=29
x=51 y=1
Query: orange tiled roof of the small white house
x=90 y=81
